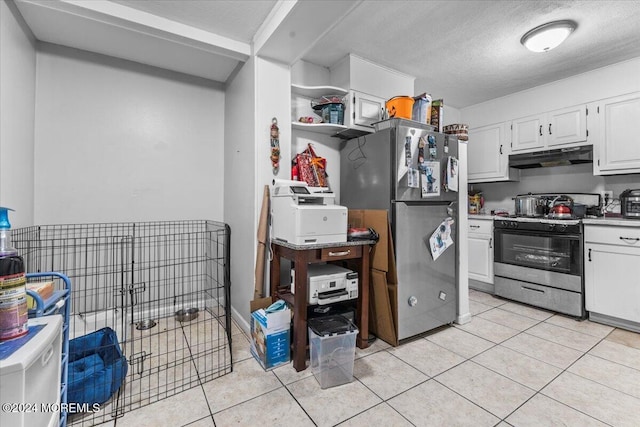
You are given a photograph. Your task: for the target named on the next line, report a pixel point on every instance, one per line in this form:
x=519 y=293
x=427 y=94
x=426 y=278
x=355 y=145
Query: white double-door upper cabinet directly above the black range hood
x=556 y=129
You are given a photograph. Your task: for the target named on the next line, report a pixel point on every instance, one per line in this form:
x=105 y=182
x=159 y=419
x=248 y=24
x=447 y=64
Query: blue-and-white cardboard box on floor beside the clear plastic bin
x=270 y=337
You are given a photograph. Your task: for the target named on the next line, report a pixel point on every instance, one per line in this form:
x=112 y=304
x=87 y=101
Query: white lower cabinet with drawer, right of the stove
x=612 y=290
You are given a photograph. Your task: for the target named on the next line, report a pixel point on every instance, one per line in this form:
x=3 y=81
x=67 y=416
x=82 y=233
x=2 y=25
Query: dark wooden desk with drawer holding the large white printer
x=302 y=256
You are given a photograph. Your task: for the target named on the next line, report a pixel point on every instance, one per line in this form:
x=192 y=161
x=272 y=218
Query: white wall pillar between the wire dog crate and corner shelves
x=253 y=99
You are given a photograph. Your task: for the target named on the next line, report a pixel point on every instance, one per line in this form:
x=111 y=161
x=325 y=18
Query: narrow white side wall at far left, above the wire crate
x=17 y=121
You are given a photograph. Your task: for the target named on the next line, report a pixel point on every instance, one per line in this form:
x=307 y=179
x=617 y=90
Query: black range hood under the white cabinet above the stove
x=547 y=158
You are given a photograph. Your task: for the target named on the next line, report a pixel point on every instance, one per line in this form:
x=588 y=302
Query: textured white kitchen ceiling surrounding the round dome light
x=469 y=51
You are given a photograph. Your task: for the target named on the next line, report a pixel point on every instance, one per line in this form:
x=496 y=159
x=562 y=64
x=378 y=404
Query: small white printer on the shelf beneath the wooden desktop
x=328 y=283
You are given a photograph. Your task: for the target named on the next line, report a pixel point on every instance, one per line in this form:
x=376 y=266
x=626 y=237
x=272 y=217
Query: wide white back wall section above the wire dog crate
x=122 y=141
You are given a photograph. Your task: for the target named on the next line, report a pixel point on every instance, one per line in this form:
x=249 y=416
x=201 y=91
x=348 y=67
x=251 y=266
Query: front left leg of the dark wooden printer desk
x=300 y=312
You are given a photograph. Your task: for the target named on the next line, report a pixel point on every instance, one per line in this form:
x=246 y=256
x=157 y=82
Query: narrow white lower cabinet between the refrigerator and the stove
x=481 y=254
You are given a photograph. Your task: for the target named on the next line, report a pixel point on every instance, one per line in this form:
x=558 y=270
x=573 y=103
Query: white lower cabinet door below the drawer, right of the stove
x=609 y=288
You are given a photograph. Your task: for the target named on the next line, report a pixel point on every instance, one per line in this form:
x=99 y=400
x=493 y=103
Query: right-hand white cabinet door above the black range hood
x=567 y=126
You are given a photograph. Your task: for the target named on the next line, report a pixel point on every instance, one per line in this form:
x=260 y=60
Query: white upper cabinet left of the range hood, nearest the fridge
x=488 y=154
